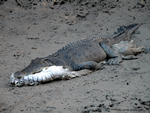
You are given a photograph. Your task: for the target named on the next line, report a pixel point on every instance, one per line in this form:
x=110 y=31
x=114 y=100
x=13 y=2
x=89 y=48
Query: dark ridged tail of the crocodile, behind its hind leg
x=123 y=33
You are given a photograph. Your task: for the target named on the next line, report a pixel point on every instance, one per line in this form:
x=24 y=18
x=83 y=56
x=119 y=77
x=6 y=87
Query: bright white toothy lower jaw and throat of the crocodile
x=47 y=74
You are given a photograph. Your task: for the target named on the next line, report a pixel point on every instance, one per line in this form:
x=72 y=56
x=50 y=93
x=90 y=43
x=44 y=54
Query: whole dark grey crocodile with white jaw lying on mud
x=80 y=58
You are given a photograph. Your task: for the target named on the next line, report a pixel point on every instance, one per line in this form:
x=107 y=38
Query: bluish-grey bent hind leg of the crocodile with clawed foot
x=114 y=56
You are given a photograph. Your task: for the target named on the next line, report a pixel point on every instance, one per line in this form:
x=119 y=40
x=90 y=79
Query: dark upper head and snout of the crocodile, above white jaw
x=36 y=66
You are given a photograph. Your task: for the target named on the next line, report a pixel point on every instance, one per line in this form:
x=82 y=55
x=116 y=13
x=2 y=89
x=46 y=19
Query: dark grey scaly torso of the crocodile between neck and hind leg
x=81 y=51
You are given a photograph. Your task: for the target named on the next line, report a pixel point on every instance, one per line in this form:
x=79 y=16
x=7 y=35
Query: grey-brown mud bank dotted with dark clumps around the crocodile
x=38 y=29
